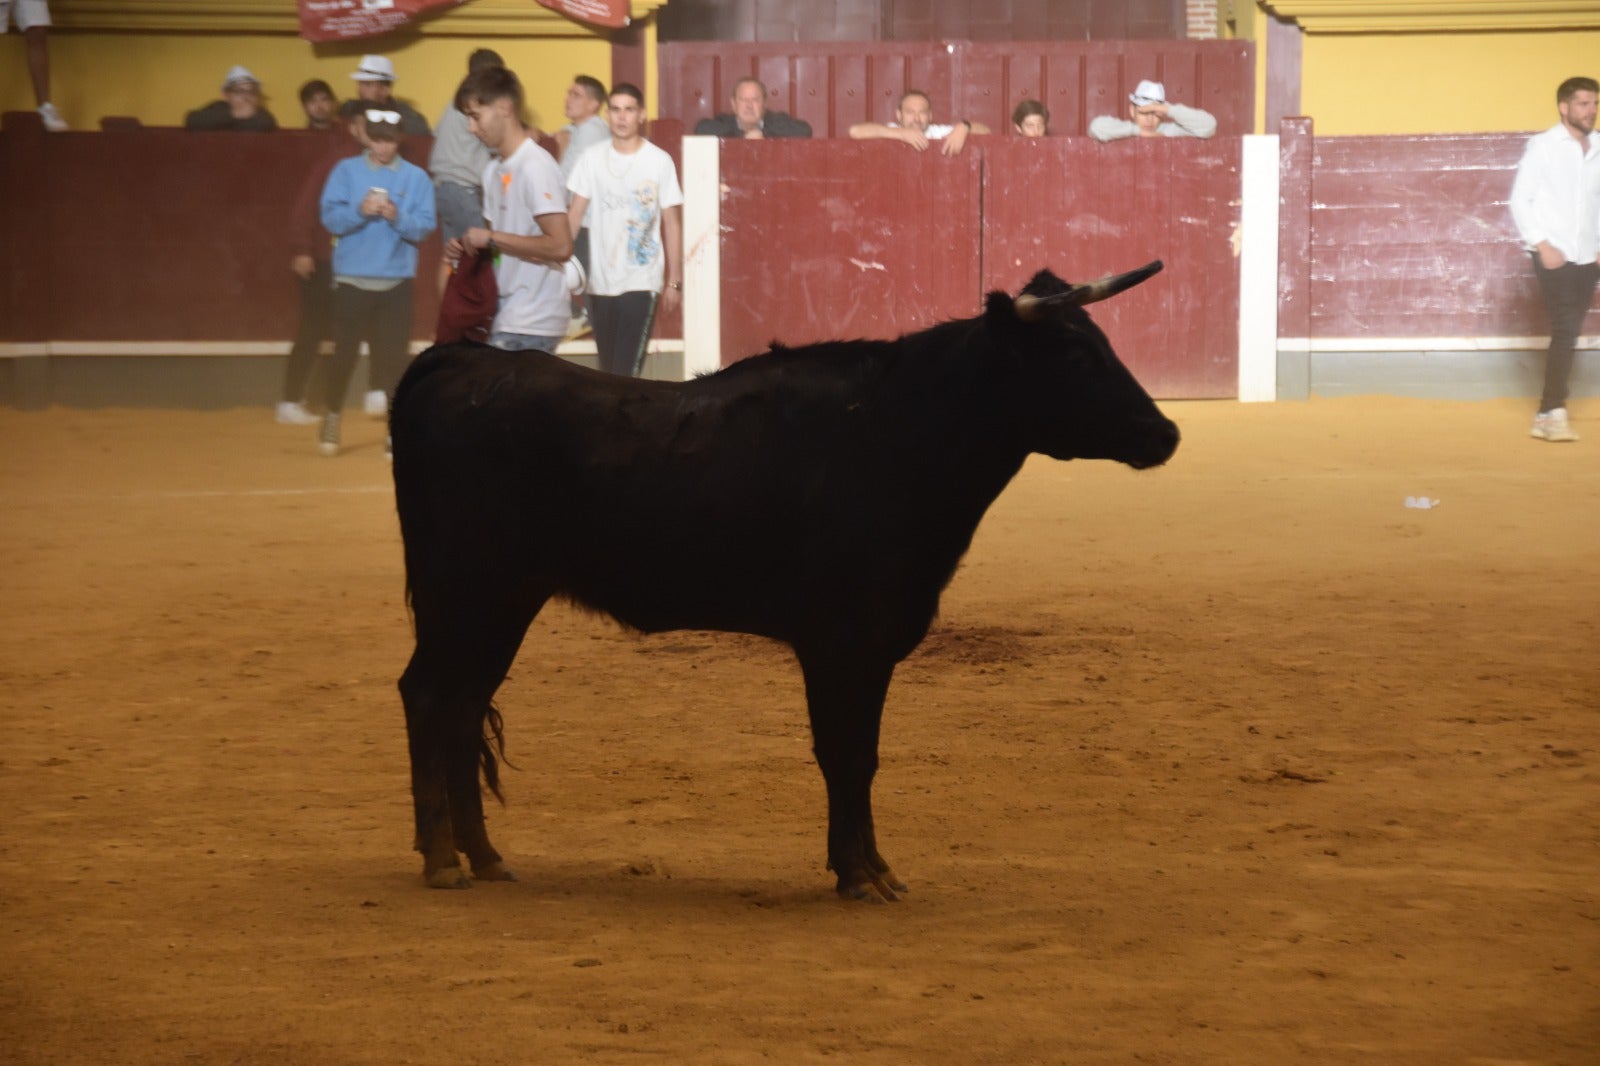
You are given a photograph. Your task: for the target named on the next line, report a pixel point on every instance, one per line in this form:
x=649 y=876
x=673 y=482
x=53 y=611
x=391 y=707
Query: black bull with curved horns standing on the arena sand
x=820 y=495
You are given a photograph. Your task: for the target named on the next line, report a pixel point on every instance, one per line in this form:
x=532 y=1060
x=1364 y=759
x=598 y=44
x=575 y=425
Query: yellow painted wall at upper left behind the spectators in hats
x=159 y=78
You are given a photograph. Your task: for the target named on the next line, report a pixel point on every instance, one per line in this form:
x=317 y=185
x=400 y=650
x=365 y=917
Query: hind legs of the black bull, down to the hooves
x=447 y=692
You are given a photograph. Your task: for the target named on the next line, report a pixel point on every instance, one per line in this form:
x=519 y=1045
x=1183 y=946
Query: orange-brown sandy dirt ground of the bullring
x=1236 y=761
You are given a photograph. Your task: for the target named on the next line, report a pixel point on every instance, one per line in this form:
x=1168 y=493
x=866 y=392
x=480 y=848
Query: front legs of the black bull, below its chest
x=846 y=702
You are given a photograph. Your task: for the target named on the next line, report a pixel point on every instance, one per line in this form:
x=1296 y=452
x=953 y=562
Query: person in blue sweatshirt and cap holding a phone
x=378 y=209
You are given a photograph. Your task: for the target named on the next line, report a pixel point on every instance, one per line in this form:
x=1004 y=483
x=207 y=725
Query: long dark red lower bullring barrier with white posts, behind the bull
x=151 y=266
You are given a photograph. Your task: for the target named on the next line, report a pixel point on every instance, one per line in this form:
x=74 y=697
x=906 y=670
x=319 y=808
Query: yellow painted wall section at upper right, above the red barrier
x=1441 y=82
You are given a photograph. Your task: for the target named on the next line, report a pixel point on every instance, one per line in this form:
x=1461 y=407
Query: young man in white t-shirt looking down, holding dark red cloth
x=526 y=217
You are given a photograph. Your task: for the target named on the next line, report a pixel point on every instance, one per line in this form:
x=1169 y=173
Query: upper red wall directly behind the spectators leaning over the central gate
x=834 y=86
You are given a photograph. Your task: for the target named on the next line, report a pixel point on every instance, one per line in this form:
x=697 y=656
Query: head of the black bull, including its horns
x=1074 y=396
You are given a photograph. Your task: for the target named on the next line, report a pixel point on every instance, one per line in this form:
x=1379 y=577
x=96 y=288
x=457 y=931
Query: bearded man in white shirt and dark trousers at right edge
x=1556 y=204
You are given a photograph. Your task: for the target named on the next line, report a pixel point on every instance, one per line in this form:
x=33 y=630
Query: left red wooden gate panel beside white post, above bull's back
x=850 y=262
